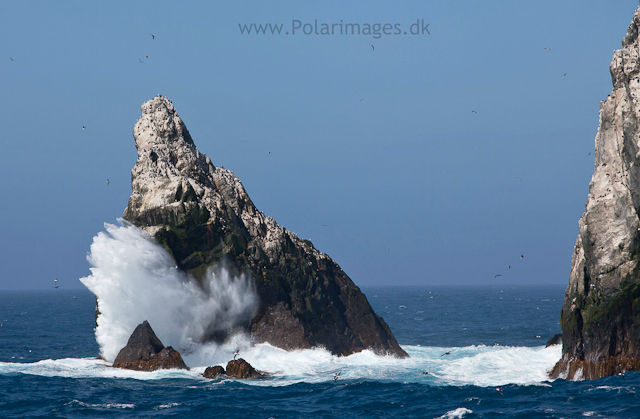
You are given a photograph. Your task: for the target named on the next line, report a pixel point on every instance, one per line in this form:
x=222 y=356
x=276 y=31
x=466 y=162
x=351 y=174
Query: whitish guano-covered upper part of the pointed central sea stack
x=169 y=164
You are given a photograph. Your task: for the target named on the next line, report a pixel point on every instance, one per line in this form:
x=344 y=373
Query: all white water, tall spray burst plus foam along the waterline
x=135 y=279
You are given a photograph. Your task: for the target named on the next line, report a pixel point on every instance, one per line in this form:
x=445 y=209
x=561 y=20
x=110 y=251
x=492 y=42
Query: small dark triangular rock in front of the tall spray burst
x=145 y=352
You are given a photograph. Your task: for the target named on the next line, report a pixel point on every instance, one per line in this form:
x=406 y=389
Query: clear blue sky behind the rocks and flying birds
x=380 y=145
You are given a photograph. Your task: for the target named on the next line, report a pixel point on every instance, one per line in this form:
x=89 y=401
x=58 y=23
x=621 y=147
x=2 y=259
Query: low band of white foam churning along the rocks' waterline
x=482 y=366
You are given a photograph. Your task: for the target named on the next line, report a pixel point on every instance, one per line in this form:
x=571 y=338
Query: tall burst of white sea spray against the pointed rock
x=135 y=279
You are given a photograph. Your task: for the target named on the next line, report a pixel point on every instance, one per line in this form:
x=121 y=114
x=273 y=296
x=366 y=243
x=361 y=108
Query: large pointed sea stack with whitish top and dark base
x=203 y=216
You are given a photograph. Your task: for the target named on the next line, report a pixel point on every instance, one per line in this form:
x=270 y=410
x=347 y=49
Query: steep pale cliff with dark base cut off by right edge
x=601 y=313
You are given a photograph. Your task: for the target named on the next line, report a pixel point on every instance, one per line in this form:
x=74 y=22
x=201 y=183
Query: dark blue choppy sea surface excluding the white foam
x=475 y=352
